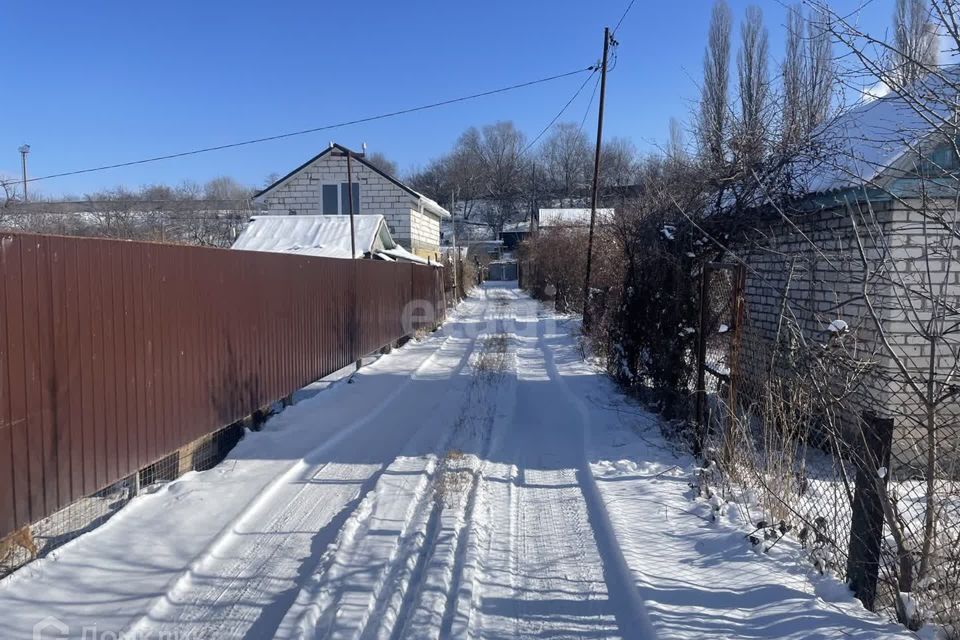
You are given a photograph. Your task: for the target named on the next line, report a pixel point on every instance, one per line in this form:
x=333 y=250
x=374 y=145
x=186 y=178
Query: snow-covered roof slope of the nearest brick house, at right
x=862 y=144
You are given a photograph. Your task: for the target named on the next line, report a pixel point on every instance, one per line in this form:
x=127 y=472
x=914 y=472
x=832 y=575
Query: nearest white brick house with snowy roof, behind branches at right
x=870 y=240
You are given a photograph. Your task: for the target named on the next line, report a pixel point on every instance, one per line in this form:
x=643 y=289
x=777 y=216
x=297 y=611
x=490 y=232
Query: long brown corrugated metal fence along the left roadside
x=114 y=354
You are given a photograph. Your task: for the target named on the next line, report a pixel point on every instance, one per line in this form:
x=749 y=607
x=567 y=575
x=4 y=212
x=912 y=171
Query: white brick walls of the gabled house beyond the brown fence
x=302 y=195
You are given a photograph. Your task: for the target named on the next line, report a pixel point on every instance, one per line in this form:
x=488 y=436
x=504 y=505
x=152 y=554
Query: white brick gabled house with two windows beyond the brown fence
x=319 y=187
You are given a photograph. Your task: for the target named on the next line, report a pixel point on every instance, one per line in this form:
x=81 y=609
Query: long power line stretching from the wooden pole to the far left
x=301 y=132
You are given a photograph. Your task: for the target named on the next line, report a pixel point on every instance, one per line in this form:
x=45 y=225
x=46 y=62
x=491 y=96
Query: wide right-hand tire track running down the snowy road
x=543 y=572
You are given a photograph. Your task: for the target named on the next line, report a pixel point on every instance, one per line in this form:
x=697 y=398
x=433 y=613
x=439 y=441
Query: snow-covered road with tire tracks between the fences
x=482 y=483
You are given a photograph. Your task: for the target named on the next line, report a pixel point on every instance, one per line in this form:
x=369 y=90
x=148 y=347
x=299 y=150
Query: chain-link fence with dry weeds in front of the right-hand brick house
x=818 y=442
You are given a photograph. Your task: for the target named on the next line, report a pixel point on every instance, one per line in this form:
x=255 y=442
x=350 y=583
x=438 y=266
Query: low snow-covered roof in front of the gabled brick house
x=324 y=236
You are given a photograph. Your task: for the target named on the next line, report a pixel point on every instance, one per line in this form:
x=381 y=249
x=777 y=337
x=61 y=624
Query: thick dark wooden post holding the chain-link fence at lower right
x=866 y=527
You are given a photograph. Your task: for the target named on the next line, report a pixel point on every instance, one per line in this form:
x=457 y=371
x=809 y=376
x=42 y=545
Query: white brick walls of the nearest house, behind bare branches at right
x=828 y=284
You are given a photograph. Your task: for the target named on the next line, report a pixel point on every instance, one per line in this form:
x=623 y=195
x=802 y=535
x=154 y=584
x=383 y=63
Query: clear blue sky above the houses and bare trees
x=101 y=82
